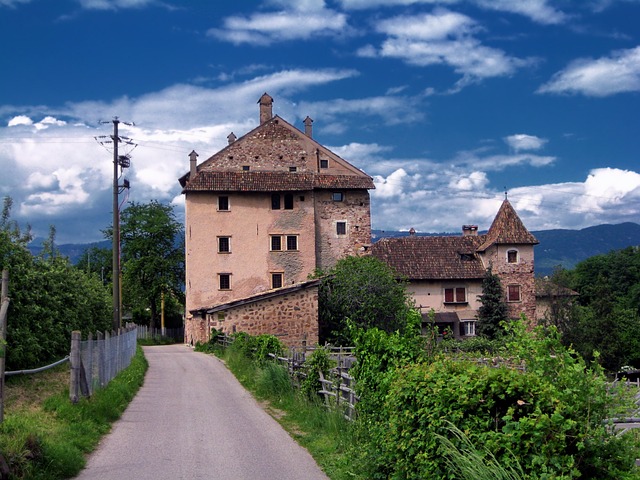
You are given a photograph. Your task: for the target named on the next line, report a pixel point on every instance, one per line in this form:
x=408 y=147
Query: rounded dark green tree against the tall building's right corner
x=364 y=290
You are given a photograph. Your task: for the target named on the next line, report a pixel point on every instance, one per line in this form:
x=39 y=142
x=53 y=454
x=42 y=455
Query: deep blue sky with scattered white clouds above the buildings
x=446 y=103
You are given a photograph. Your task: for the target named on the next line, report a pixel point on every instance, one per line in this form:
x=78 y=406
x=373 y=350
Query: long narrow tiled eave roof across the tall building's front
x=265 y=181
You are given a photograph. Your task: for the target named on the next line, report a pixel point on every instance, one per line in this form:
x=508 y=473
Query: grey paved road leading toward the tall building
x=192 y=419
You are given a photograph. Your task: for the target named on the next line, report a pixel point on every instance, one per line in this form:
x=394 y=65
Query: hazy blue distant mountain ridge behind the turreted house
x=565 y=247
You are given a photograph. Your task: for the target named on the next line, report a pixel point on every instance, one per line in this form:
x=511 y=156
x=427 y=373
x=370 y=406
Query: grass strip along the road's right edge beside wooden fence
x=326 y=434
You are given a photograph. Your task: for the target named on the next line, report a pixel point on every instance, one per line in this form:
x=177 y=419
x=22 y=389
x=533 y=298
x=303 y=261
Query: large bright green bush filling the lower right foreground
x=541 y=409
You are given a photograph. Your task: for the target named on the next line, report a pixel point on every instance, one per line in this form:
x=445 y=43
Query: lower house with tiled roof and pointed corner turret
x=445 y=273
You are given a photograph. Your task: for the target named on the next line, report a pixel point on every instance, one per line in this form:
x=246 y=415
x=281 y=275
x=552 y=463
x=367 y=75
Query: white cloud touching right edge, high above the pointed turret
x=618 y=73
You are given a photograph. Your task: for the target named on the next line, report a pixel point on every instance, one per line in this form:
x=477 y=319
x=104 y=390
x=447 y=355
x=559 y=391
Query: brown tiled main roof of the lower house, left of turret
x=432 y=258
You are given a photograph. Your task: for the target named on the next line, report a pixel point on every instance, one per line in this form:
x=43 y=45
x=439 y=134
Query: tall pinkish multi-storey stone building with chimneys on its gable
x=261 y=215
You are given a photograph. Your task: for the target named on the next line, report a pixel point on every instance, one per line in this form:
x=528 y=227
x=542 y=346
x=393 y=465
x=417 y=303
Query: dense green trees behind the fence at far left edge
x=49 y=299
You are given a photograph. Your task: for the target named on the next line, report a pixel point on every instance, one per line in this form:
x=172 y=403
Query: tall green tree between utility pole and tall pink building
x=152 y=259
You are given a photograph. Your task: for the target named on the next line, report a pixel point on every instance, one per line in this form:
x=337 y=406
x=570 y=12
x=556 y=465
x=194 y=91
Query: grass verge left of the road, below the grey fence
x=44 y=436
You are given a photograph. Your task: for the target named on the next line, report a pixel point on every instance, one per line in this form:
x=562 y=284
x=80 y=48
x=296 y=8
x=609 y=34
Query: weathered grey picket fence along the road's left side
x=96 y=361
